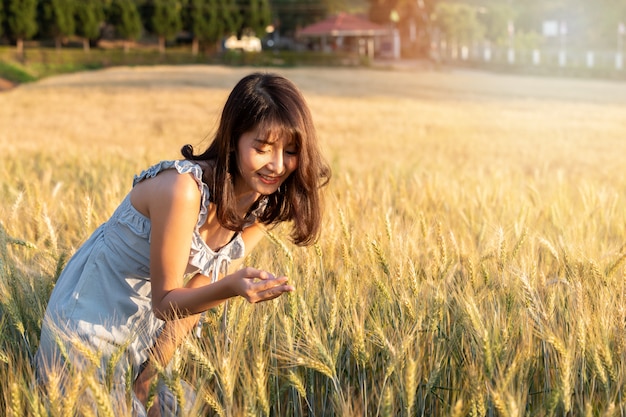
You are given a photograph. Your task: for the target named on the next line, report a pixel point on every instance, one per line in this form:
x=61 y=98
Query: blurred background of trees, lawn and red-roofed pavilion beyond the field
x=566 y=37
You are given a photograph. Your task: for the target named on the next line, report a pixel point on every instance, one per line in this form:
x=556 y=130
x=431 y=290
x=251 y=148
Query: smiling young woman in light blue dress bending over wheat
x=135 y=289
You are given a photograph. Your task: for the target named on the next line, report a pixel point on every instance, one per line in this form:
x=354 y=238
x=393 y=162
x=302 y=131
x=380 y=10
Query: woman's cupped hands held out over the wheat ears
x=256 y=285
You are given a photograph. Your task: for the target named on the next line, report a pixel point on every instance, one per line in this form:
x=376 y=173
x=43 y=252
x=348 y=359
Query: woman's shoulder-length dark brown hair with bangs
x=273 y=105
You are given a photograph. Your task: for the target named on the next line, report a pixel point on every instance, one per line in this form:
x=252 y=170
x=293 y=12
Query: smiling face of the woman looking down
x=264 y=164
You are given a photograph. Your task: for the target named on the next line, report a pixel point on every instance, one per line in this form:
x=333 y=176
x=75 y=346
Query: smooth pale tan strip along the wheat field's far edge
x=457 y=85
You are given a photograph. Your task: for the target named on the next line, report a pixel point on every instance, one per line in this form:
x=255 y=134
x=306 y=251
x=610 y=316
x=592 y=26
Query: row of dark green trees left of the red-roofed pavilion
x=206 y=21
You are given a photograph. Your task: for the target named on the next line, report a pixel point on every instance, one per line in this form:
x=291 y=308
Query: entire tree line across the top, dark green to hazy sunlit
x=582 y=24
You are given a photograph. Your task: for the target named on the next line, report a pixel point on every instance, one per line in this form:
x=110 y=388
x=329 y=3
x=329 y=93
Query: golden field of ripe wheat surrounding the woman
x=472 y=259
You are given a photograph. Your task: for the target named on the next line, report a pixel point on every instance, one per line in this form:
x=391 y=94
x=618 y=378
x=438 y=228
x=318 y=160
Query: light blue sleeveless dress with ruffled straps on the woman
x=102 y=299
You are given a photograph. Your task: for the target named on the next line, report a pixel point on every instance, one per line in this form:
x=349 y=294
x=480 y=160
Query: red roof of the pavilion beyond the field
x=343 y=24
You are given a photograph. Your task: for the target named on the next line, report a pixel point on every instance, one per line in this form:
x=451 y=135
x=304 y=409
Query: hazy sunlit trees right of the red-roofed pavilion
x=581 y=24
